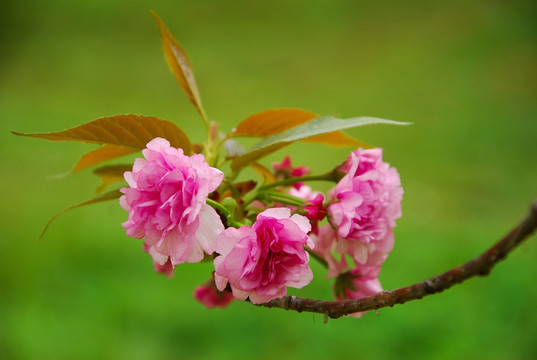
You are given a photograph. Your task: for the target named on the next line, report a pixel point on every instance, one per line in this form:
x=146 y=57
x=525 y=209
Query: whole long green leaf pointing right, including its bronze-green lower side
x=315 y=128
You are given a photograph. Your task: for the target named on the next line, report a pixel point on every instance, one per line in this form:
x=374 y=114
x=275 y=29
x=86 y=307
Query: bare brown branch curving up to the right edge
x=480 y=266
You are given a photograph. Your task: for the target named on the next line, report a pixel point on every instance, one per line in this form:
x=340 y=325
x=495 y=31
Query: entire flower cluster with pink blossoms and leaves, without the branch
x=260 y=235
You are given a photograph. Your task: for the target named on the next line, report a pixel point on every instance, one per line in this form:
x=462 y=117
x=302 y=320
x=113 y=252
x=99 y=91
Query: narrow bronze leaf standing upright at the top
x=179 y=64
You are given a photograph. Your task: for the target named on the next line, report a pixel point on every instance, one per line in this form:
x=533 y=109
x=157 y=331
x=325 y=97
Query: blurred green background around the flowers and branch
x=464 y=73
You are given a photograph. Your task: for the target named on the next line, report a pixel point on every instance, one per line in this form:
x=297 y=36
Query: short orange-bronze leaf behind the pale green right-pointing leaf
x=273 y=121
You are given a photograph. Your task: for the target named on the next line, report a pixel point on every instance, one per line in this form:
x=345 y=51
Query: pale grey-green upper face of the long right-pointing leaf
x=318 y=126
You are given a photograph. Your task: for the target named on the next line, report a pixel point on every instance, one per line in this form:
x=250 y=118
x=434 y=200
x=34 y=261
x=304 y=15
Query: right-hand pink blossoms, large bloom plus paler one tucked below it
x=362 y=210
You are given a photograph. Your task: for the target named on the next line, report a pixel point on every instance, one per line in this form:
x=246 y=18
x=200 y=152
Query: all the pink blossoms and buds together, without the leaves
x=167 y=204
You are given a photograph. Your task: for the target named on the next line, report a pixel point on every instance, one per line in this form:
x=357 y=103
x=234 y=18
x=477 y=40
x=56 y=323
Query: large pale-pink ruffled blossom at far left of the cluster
x=166 y=204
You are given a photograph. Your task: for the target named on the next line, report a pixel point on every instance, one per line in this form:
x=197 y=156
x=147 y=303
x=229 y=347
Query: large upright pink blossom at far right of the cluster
x=365 y=204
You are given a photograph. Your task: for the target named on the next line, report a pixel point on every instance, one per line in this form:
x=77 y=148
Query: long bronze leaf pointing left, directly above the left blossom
x=133 y=131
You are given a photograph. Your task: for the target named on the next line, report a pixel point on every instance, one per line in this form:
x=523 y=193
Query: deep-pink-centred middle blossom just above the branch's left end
x=259 y=262
